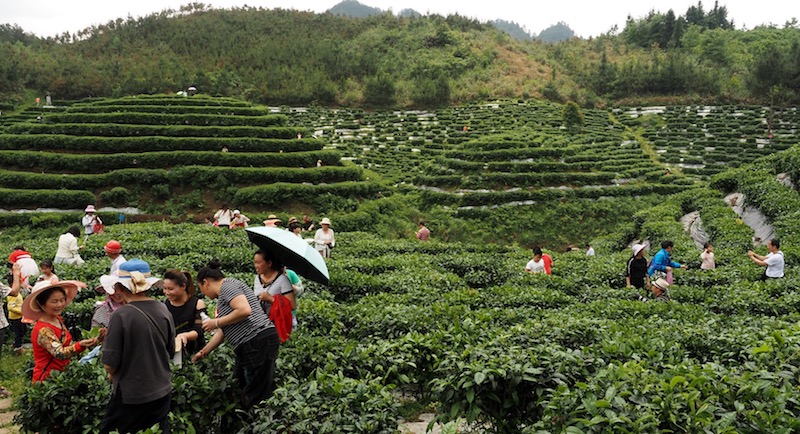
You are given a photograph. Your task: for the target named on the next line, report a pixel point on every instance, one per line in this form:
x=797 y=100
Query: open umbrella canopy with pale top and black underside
x=295 y=253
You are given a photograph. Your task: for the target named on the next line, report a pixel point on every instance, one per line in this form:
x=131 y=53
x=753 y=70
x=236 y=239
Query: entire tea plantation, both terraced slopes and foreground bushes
x=456 y=328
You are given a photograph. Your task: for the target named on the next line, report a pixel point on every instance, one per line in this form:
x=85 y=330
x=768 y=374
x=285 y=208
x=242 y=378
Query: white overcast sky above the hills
x=585 y=17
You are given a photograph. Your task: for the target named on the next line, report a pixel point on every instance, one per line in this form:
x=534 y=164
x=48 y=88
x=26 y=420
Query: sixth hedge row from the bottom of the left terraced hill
x=135 y=118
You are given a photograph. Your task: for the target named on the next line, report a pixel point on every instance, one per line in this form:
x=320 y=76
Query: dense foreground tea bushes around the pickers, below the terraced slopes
x=498 y=349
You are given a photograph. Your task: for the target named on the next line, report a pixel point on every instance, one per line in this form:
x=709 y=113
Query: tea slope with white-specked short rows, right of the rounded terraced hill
x=502 y=153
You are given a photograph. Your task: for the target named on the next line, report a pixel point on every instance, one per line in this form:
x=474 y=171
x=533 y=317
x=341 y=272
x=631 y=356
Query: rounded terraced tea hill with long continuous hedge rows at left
x=144 y=151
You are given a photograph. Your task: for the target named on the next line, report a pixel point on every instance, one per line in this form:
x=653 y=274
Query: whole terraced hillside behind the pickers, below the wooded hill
x=508 y=171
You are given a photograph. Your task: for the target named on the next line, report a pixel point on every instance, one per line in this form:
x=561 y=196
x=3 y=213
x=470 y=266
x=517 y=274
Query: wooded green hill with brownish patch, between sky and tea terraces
x=290 y=57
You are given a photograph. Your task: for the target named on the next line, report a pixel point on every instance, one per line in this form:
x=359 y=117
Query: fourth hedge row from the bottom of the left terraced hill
x=60 y=142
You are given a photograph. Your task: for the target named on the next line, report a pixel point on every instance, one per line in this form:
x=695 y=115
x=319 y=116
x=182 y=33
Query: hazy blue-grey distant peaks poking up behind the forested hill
x=555 y=33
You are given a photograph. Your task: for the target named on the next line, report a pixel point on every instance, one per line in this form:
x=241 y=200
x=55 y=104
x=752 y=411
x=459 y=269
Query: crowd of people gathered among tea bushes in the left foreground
x=140 y=338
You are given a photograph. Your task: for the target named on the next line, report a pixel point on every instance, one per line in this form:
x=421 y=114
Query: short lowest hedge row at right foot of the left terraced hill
x=279 y=194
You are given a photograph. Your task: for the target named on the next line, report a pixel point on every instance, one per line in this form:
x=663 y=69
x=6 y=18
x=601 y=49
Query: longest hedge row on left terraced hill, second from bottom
x=197 y=176
